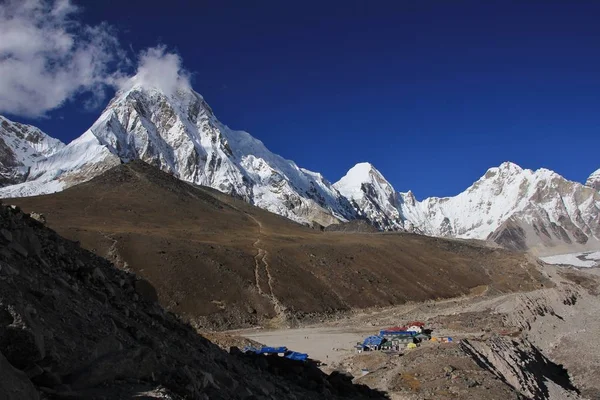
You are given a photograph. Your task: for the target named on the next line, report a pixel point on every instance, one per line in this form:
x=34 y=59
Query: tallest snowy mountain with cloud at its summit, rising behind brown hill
x=179 y=133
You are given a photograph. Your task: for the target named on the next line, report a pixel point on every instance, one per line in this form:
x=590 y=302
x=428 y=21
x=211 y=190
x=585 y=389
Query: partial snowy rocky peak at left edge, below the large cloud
x=21 y=146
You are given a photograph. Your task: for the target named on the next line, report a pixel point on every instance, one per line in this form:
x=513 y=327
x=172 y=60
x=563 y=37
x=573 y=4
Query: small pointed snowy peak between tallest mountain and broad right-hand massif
x=372 y=196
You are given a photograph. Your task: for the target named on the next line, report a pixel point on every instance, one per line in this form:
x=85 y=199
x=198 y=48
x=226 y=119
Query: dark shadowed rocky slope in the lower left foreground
x=73 y=326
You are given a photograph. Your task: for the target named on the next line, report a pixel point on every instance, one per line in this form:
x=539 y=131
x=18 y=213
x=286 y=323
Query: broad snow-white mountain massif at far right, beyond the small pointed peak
x=518 y=208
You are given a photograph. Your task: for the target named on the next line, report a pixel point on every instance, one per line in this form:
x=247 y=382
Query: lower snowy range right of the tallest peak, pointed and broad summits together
x=517 y=208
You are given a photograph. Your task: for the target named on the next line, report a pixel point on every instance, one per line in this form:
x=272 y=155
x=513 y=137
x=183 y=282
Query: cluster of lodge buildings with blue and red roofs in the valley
x=397 y=338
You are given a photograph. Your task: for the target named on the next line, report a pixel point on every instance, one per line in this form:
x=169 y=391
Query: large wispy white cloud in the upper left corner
x=47 y=57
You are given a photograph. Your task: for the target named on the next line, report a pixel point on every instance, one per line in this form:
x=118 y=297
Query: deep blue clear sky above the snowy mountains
x=432 y=93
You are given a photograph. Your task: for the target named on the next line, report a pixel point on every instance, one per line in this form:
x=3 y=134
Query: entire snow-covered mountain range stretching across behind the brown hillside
x=180 y=134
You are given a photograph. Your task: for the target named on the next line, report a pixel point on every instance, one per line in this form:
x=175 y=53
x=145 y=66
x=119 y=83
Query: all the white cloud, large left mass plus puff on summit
x=47 y=57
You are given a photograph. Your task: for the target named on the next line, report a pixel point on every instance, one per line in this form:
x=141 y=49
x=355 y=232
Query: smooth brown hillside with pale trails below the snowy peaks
x=224 y=263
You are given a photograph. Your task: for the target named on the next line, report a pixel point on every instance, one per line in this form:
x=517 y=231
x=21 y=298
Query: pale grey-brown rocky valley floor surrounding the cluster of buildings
x=540 y=344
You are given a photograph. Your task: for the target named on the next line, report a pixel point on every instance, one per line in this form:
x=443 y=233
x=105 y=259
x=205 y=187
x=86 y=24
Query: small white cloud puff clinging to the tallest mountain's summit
x=159 y=69
